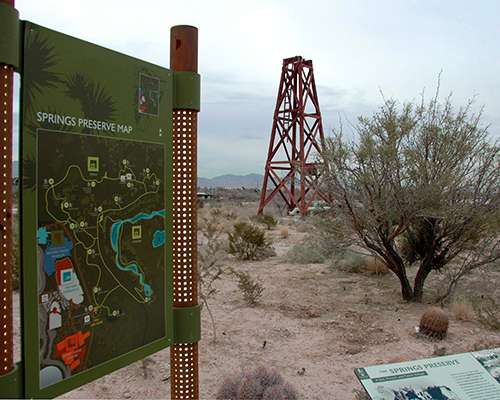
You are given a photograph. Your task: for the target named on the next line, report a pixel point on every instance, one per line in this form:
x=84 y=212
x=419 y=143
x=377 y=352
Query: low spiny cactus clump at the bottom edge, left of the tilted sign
x=259 y=384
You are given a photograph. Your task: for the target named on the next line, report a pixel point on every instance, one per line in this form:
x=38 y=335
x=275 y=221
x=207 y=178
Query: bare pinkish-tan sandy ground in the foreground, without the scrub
x=310 y=316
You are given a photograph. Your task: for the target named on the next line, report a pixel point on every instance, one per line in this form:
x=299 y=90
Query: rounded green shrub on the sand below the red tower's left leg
x=248 y=242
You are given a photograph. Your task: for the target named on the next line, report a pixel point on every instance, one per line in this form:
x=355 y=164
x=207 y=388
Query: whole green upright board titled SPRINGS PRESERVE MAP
x=96 y=207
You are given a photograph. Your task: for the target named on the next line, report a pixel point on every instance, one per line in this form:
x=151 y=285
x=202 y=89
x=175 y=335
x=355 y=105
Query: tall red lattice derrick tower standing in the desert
x=297 y=135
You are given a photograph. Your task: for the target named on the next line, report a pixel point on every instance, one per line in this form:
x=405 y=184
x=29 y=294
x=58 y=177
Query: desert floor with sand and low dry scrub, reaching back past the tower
x=311 y=317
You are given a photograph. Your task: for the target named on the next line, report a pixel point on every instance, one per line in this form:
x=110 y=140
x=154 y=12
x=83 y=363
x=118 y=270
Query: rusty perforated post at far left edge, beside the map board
x=6 y=104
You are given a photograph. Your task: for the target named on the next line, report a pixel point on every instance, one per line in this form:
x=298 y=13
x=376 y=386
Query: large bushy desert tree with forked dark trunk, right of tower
x=418 y=185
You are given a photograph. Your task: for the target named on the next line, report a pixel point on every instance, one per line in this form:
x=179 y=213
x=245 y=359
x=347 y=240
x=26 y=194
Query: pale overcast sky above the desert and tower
x=358 y=48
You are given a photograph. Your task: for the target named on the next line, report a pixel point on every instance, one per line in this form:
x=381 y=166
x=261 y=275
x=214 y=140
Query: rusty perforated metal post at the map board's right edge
x=184 y=357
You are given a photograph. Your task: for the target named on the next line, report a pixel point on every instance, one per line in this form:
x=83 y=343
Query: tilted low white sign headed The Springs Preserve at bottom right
x=468 y=376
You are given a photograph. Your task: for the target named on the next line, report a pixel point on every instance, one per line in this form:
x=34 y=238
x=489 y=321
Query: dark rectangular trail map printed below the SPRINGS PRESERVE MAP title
x=101 y=253
